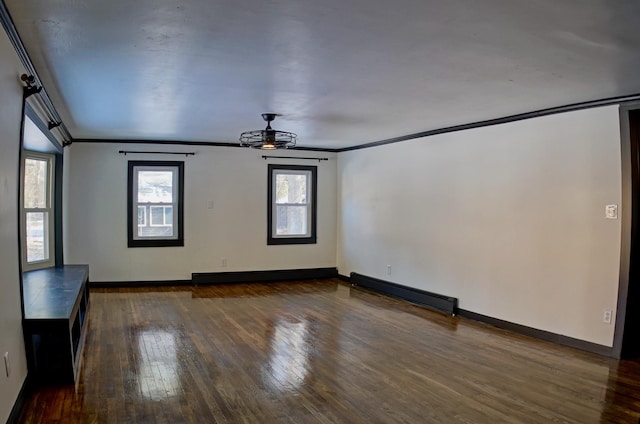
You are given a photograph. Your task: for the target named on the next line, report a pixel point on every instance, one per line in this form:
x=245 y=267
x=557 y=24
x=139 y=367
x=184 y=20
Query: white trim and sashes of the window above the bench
x=49 y=209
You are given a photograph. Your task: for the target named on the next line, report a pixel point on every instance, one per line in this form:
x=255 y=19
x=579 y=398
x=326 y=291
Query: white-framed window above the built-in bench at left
x=37 y=232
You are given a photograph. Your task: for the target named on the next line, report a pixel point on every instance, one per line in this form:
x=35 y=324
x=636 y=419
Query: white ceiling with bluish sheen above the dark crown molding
x=341 y=72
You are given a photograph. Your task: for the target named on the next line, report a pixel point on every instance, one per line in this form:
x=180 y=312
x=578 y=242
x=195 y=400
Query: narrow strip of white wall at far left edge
x=10 y=313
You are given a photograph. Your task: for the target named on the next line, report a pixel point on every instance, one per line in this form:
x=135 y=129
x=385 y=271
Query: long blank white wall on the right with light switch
x=509 y=219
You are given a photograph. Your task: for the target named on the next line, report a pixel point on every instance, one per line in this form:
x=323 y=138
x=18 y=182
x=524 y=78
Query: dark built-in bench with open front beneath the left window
x=56 y=304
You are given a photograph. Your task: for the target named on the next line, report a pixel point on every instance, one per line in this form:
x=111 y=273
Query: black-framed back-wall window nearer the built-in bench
x=155 y=192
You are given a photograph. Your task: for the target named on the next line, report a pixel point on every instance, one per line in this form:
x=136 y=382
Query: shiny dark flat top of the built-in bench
x=51 y=293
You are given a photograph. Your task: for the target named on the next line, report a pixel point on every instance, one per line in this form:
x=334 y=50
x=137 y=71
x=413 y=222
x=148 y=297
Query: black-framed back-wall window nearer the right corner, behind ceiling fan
x=292 y=204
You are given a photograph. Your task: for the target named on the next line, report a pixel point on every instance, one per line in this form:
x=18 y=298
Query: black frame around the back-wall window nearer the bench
x=154 y=242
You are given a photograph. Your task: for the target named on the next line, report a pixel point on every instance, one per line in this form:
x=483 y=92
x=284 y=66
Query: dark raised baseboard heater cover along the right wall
x=436 y=301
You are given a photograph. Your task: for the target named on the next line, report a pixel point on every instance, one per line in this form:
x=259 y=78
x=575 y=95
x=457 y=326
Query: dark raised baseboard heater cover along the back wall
x=262 y=276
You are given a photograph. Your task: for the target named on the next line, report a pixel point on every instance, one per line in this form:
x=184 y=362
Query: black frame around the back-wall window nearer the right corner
x=312 y=238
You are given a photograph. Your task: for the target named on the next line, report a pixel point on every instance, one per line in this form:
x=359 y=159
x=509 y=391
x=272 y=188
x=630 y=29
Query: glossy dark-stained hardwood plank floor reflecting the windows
x=321 y=352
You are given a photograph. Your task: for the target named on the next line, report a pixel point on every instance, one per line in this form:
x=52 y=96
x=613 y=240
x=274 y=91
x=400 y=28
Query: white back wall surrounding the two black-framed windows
x=235 y=179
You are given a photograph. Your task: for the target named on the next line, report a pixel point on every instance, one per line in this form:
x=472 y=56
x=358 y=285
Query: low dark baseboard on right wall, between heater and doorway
x=539 y=334
